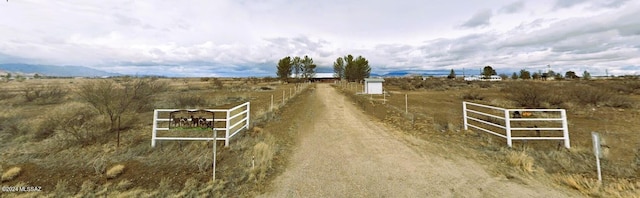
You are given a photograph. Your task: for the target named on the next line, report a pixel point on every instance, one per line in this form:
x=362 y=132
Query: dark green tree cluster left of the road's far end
x=303 y=68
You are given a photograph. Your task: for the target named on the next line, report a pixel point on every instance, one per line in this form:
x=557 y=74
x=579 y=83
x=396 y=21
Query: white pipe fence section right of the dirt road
x=484 y=117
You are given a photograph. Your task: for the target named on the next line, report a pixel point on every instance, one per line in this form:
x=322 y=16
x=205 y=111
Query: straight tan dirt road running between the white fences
x=344 y=153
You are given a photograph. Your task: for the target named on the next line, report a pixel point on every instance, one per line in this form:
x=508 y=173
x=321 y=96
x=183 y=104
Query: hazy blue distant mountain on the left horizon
x=51 y=70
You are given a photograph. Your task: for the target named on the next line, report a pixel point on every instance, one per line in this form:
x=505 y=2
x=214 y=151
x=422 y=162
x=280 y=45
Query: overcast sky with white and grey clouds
x=247 y=37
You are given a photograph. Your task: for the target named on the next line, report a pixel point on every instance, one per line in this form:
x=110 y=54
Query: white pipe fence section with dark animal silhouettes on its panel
x=234 y=123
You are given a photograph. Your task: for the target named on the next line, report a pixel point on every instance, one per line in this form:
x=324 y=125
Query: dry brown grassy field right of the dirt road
x=609 y=107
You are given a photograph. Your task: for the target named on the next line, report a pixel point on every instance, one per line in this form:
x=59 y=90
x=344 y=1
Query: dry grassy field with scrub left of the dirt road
x=53 y=138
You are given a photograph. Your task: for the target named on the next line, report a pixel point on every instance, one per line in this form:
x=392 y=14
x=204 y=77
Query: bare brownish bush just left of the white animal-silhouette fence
x=116 y=100
